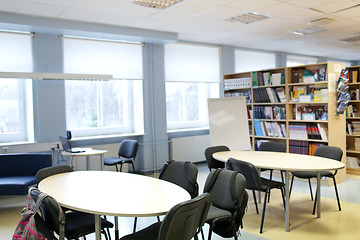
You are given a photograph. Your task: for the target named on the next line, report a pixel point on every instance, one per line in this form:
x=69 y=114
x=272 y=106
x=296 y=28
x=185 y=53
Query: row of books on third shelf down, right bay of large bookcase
x=310 y=112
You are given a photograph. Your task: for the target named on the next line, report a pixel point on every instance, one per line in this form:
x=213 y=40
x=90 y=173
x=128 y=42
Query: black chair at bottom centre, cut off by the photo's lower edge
x=182 y=222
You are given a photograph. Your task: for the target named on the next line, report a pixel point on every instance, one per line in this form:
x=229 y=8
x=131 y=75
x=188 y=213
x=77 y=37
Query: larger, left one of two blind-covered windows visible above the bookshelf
x=246 y=61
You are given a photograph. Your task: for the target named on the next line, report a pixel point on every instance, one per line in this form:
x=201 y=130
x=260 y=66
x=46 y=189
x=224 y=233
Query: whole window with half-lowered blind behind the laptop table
x=104 y=107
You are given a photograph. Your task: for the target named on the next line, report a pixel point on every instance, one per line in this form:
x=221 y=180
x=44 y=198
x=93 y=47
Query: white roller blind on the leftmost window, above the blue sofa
x=16 y=52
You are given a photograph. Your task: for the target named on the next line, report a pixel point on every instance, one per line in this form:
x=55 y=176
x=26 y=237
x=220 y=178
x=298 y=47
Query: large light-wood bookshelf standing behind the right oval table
x=336 y=134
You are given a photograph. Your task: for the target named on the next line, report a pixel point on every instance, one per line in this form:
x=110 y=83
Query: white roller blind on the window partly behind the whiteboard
x=191 y=63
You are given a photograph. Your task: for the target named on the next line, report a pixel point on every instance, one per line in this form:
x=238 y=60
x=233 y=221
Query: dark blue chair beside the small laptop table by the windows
x=127 y=153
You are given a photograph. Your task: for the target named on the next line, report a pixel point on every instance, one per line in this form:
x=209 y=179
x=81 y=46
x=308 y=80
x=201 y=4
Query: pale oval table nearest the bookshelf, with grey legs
x=288 y=162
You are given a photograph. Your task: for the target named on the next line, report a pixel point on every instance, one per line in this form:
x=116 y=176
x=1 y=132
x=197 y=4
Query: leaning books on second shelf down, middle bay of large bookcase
x=269 y=95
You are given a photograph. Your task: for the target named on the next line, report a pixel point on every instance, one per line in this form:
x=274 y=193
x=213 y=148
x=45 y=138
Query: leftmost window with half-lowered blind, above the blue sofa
x=16 y=113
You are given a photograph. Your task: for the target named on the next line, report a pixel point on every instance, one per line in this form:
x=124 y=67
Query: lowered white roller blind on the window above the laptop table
x=122 y=60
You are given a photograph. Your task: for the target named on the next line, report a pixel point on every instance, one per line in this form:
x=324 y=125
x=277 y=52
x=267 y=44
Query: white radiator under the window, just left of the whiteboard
x=189 y=148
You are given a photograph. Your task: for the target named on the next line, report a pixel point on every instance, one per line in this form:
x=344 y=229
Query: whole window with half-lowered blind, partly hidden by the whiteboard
x=192 y=76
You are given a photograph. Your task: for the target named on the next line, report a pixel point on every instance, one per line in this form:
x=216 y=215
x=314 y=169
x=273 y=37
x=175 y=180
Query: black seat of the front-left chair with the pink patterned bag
x=79 y=224
